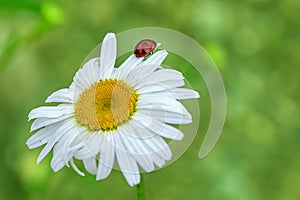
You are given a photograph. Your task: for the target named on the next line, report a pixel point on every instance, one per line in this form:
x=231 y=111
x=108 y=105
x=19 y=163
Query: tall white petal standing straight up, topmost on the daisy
x=108 y=55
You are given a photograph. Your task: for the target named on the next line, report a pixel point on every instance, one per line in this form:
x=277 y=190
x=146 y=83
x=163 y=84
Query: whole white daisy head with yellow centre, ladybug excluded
x=113 y=113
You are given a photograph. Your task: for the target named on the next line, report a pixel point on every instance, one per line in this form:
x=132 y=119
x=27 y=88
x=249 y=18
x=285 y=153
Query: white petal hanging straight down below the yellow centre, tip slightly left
x=107 y=157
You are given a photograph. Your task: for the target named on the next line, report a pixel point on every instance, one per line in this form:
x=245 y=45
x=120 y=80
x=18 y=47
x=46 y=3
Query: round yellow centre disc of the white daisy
x=105 y=105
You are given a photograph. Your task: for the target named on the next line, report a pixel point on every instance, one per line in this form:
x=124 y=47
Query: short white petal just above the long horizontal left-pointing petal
x=61 y=96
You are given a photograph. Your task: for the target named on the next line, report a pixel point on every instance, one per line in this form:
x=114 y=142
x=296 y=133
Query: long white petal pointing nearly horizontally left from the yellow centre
x=51 y=111
